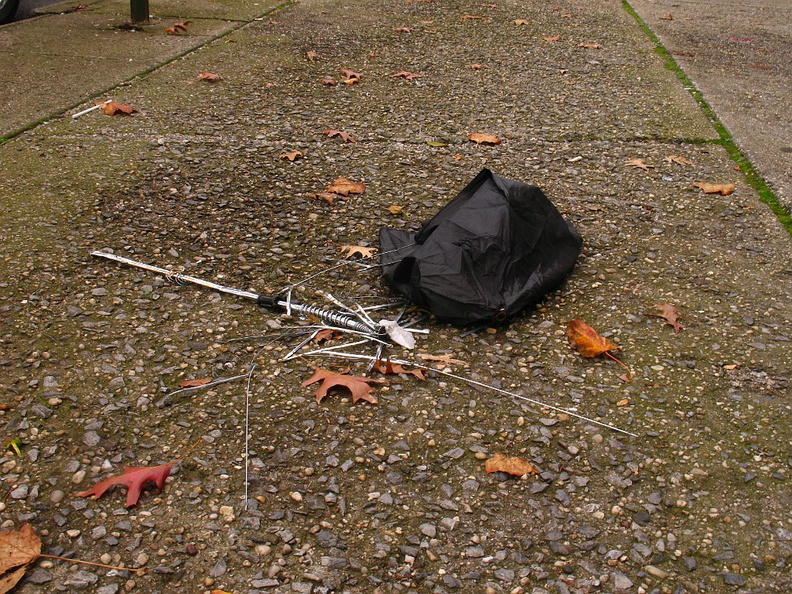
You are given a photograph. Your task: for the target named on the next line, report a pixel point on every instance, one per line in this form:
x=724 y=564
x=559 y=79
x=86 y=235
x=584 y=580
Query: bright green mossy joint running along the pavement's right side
x=752 y=176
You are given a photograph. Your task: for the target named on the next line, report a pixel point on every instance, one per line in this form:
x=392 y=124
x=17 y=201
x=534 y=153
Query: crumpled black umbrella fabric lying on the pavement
x=496 y=248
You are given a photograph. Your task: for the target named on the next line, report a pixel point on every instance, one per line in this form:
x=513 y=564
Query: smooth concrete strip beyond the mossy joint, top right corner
x=739 y=56
